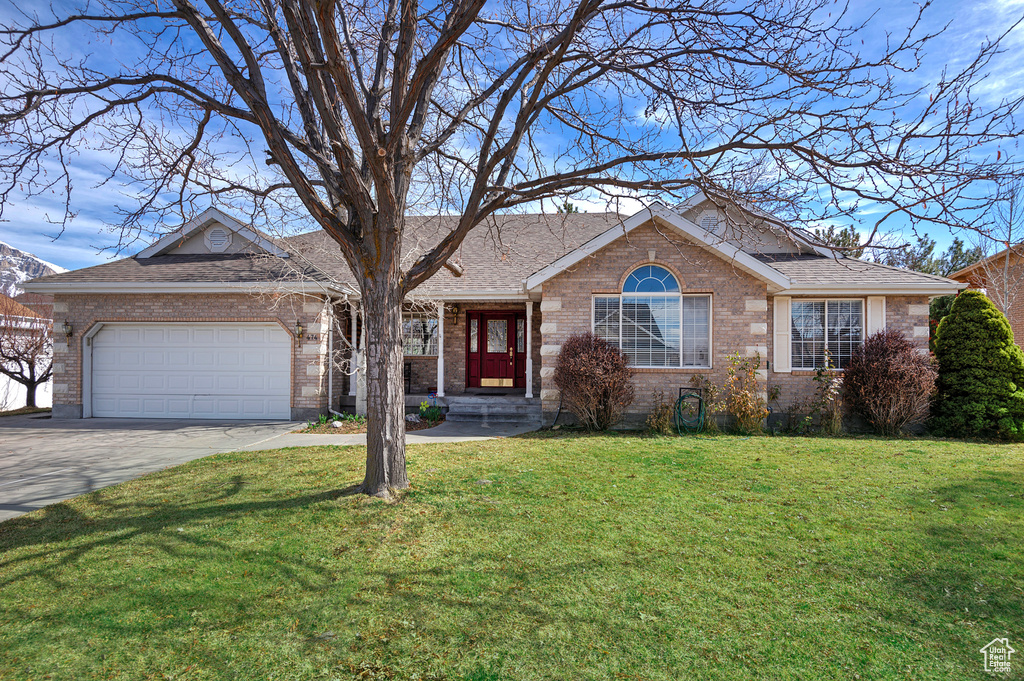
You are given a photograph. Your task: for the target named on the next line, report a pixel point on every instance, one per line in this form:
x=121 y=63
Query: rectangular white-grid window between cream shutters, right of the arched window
x=819 y=325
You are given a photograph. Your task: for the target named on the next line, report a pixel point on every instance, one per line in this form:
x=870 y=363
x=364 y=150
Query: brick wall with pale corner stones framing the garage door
x=84 y=312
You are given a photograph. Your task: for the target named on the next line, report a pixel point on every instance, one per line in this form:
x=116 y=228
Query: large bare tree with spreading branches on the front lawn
x=350 y=116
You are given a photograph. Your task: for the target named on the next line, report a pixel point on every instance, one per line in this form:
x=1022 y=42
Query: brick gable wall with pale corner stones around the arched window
x=740 y=310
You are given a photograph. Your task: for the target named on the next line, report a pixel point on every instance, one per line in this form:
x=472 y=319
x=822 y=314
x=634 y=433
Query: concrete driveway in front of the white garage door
x=45 y=461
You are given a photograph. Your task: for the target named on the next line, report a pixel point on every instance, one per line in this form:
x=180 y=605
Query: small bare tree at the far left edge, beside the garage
x=26 y=348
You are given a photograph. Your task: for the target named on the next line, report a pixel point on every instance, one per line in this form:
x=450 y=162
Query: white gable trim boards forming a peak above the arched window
x=663 y=216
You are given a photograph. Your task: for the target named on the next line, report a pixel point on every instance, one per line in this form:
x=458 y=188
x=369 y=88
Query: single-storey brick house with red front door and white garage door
x=219 y=321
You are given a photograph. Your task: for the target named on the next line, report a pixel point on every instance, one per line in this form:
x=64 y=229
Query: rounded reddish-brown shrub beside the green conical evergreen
x=889 y=382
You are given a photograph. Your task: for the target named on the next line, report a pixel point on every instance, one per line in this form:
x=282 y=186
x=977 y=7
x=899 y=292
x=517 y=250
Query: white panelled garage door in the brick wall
x=204 y=371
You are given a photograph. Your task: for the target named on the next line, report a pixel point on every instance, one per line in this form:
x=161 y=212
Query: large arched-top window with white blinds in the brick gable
x=654 y=323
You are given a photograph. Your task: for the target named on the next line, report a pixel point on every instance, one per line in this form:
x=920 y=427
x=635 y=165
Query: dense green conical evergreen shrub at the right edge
x=982 y=373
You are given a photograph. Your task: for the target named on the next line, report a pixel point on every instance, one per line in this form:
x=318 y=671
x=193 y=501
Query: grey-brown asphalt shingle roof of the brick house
x=497 y=257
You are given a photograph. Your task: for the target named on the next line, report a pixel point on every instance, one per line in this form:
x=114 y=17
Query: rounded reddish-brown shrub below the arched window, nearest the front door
x=595 y=380
